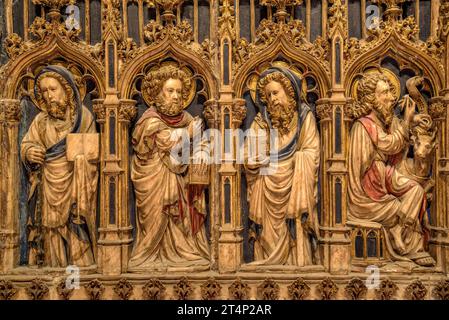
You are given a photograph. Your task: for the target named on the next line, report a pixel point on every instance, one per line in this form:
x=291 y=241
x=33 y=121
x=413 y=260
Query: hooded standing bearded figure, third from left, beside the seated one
x=282 y=203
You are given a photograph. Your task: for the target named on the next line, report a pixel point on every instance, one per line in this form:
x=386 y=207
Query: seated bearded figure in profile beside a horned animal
x=378 y=191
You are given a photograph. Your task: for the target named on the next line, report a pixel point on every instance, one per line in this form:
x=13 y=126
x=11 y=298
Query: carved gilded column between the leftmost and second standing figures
x=115 y=230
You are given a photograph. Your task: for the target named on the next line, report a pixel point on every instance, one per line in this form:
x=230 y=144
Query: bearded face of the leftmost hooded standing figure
x=55 y=98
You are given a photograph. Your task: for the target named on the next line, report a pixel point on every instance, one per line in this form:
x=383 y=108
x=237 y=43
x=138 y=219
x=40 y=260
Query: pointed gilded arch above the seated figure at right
x=396 y=48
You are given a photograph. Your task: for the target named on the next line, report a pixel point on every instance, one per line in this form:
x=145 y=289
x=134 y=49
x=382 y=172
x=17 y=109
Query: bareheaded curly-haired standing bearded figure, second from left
x=170 y=213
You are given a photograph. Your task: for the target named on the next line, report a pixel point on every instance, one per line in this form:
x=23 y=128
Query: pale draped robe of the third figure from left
x=287 y=193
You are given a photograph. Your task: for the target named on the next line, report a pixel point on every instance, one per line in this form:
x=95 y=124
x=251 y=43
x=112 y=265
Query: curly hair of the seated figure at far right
x=366 y=93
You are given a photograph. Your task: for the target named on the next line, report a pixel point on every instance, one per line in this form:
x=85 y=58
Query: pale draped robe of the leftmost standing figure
x=65 y=184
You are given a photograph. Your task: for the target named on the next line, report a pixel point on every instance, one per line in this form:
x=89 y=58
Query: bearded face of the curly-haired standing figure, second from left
x=169 y=101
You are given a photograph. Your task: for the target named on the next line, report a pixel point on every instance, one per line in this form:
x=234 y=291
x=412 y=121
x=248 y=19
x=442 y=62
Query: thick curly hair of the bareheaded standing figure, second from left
x=154 y=81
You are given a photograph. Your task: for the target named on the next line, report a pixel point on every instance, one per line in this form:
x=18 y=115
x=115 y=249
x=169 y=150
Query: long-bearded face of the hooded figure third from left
x=280 y=106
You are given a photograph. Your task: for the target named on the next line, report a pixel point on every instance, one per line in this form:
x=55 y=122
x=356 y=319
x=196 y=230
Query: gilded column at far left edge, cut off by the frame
x=10 y=114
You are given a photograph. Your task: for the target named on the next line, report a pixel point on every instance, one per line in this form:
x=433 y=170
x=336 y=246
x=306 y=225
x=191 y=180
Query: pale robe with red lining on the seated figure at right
x=378 y=192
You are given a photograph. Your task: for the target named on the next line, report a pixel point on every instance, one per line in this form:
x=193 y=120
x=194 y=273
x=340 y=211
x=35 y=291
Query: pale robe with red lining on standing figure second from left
x=170 y=214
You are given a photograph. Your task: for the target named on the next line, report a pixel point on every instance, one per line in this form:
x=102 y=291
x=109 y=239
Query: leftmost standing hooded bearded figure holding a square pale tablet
x=60 y=153
